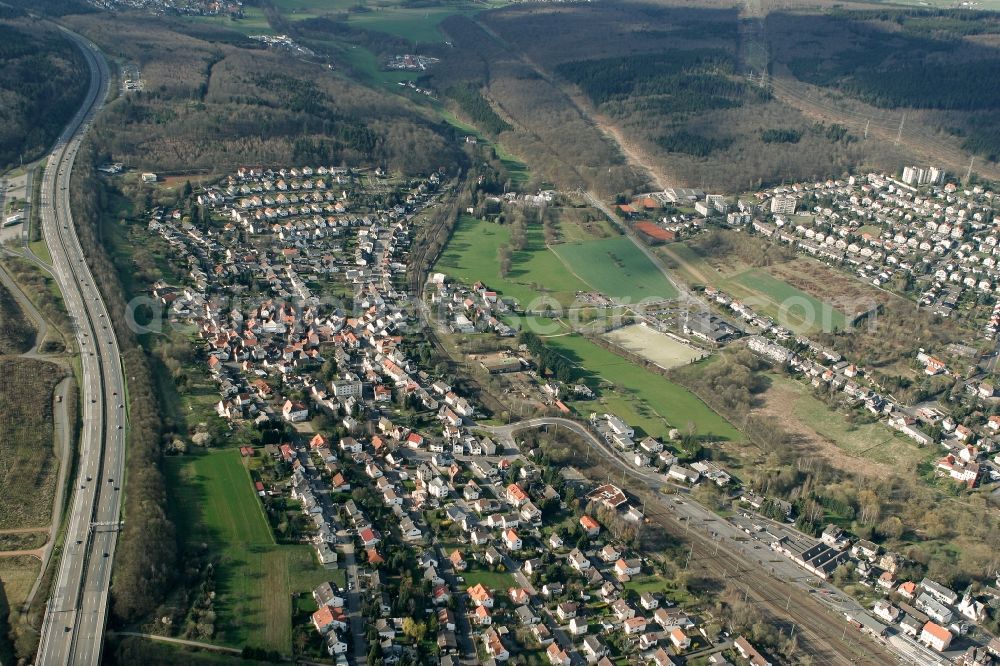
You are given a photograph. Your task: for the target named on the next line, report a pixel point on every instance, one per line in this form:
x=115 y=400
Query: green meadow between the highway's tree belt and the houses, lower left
x=214 y=503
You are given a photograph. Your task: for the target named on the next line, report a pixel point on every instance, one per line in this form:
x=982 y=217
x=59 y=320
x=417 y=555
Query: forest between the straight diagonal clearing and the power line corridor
x=671 y=80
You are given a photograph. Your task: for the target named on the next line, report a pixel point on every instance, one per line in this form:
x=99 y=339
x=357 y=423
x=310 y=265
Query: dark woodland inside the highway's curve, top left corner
x=42 y=80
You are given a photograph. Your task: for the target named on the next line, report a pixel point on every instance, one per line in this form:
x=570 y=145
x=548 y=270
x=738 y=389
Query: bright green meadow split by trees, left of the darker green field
x=471 y=255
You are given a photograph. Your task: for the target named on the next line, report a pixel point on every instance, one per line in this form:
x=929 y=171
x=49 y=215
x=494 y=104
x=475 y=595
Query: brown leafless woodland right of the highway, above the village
x=213 y=106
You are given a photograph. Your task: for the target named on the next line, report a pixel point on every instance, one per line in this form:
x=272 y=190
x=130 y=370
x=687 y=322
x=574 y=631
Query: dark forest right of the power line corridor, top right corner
x=903 y=58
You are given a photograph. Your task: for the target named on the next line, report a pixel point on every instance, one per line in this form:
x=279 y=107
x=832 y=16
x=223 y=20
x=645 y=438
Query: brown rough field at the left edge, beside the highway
x=28 y=464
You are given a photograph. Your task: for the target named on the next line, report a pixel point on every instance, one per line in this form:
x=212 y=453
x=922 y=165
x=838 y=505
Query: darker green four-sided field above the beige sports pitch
x=616 y=268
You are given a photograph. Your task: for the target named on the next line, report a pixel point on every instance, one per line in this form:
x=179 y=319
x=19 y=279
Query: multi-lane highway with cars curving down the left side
x=76 y=612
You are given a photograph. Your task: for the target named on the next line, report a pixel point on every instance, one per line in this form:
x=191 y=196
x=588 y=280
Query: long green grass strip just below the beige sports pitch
x=643 y=398
